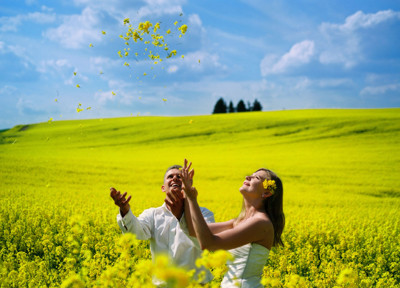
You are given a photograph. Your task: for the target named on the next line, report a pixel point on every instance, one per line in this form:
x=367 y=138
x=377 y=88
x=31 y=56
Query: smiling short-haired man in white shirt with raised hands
x=165 y=226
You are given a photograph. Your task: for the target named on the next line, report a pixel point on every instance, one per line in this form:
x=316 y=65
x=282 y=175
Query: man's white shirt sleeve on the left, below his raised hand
x=140 y=226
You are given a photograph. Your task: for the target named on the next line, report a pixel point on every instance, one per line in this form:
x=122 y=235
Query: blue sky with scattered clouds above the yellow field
x=286 y=54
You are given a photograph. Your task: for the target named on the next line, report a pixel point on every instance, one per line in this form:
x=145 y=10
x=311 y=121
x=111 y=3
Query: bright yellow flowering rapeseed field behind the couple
x=340 y=170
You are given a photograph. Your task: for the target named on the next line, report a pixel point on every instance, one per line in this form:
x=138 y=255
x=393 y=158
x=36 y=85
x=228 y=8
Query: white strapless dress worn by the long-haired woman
x=247 y=267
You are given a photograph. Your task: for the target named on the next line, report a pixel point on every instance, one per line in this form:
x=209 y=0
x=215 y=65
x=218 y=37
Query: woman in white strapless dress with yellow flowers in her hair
x=250 y=236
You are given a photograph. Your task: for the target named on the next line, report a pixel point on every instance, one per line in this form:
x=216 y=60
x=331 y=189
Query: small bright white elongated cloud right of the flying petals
x=300 y=53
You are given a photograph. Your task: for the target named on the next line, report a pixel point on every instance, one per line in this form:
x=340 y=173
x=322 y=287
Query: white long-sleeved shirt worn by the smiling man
x=167 y=235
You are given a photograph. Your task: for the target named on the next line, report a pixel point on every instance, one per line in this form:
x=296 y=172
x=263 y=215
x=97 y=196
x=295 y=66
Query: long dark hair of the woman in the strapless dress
x=274 y=207
